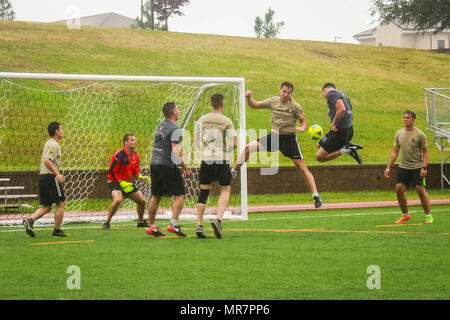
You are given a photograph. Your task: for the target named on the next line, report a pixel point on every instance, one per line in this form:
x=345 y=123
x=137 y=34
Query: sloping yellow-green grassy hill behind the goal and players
x=381 y=82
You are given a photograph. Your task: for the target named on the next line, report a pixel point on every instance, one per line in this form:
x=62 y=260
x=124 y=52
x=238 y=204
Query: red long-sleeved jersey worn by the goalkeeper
x=123 y=169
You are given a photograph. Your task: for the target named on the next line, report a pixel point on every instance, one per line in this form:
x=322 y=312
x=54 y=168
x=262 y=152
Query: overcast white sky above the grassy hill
x=321 y=20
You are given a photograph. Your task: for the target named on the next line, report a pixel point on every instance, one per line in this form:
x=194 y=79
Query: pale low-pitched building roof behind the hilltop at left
x=110 y=19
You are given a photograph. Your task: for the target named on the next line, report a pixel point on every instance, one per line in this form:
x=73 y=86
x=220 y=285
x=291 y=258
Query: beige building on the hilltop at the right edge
x=394 y=35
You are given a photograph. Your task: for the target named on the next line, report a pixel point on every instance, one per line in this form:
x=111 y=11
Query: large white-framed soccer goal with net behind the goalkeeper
x=96 y=111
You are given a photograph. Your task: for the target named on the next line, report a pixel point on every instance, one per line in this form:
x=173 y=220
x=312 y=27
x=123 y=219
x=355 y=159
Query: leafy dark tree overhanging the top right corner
x=422 y=14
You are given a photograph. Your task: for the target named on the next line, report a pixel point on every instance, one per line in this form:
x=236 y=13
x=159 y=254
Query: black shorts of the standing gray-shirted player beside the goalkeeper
x=166 y=181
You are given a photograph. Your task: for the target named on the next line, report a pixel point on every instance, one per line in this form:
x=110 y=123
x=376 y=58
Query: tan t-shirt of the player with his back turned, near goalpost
x=214 y=131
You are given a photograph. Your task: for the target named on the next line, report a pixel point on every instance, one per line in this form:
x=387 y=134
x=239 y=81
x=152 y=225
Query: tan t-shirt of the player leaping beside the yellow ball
x=284 y=114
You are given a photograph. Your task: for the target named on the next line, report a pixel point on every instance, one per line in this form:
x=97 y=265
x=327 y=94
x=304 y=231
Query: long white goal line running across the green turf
x=344 y=215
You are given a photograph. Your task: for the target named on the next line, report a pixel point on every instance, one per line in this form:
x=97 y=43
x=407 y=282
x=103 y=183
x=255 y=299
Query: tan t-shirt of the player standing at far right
x=411 y=146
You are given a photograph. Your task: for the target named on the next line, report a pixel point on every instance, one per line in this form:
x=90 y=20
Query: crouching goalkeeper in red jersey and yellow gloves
x=124 y=166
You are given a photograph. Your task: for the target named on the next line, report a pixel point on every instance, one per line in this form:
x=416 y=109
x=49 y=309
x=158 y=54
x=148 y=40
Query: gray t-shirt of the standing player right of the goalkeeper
x=166 y=133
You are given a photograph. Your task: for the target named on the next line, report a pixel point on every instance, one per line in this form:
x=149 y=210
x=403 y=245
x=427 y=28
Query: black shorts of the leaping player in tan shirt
x=286 y=143
